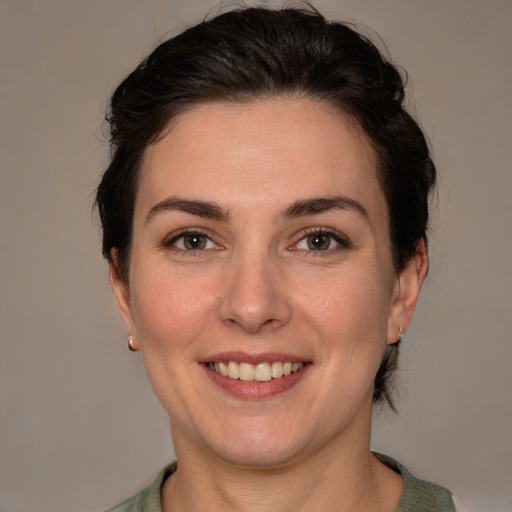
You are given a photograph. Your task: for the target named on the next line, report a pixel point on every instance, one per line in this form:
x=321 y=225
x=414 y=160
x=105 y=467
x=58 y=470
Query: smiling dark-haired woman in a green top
x=264 y=218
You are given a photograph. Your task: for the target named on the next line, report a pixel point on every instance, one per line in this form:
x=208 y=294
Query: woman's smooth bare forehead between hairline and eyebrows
x=260 y=153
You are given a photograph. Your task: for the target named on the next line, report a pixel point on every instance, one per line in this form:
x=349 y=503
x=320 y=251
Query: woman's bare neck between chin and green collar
x=342 y=477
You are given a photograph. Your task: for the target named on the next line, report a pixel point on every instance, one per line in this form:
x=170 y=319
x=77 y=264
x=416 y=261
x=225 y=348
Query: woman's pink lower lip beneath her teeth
x=255 y=389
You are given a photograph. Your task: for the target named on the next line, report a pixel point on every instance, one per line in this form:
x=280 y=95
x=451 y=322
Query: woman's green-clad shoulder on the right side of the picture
x=419 y=495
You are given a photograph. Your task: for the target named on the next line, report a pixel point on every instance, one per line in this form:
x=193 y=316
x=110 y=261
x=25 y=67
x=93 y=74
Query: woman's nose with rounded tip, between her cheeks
x=255 y=298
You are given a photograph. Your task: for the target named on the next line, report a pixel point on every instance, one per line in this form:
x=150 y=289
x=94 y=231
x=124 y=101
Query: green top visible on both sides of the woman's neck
x=417 y=496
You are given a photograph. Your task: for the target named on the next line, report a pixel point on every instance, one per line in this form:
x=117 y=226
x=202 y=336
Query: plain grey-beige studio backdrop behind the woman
x=80 y=427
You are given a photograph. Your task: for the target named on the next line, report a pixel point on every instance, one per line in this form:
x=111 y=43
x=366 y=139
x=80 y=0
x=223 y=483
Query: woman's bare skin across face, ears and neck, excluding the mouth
x=258 y=288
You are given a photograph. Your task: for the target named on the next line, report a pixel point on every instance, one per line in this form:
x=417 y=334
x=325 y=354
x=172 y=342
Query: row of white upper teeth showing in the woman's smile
x=261 y=372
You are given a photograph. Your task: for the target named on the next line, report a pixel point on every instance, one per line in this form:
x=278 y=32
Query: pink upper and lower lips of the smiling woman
x=255 y=390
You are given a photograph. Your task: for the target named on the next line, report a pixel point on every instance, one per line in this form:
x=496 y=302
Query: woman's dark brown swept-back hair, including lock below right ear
x=256 y=53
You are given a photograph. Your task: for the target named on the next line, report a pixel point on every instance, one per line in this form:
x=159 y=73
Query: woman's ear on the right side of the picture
x=407 y=290
